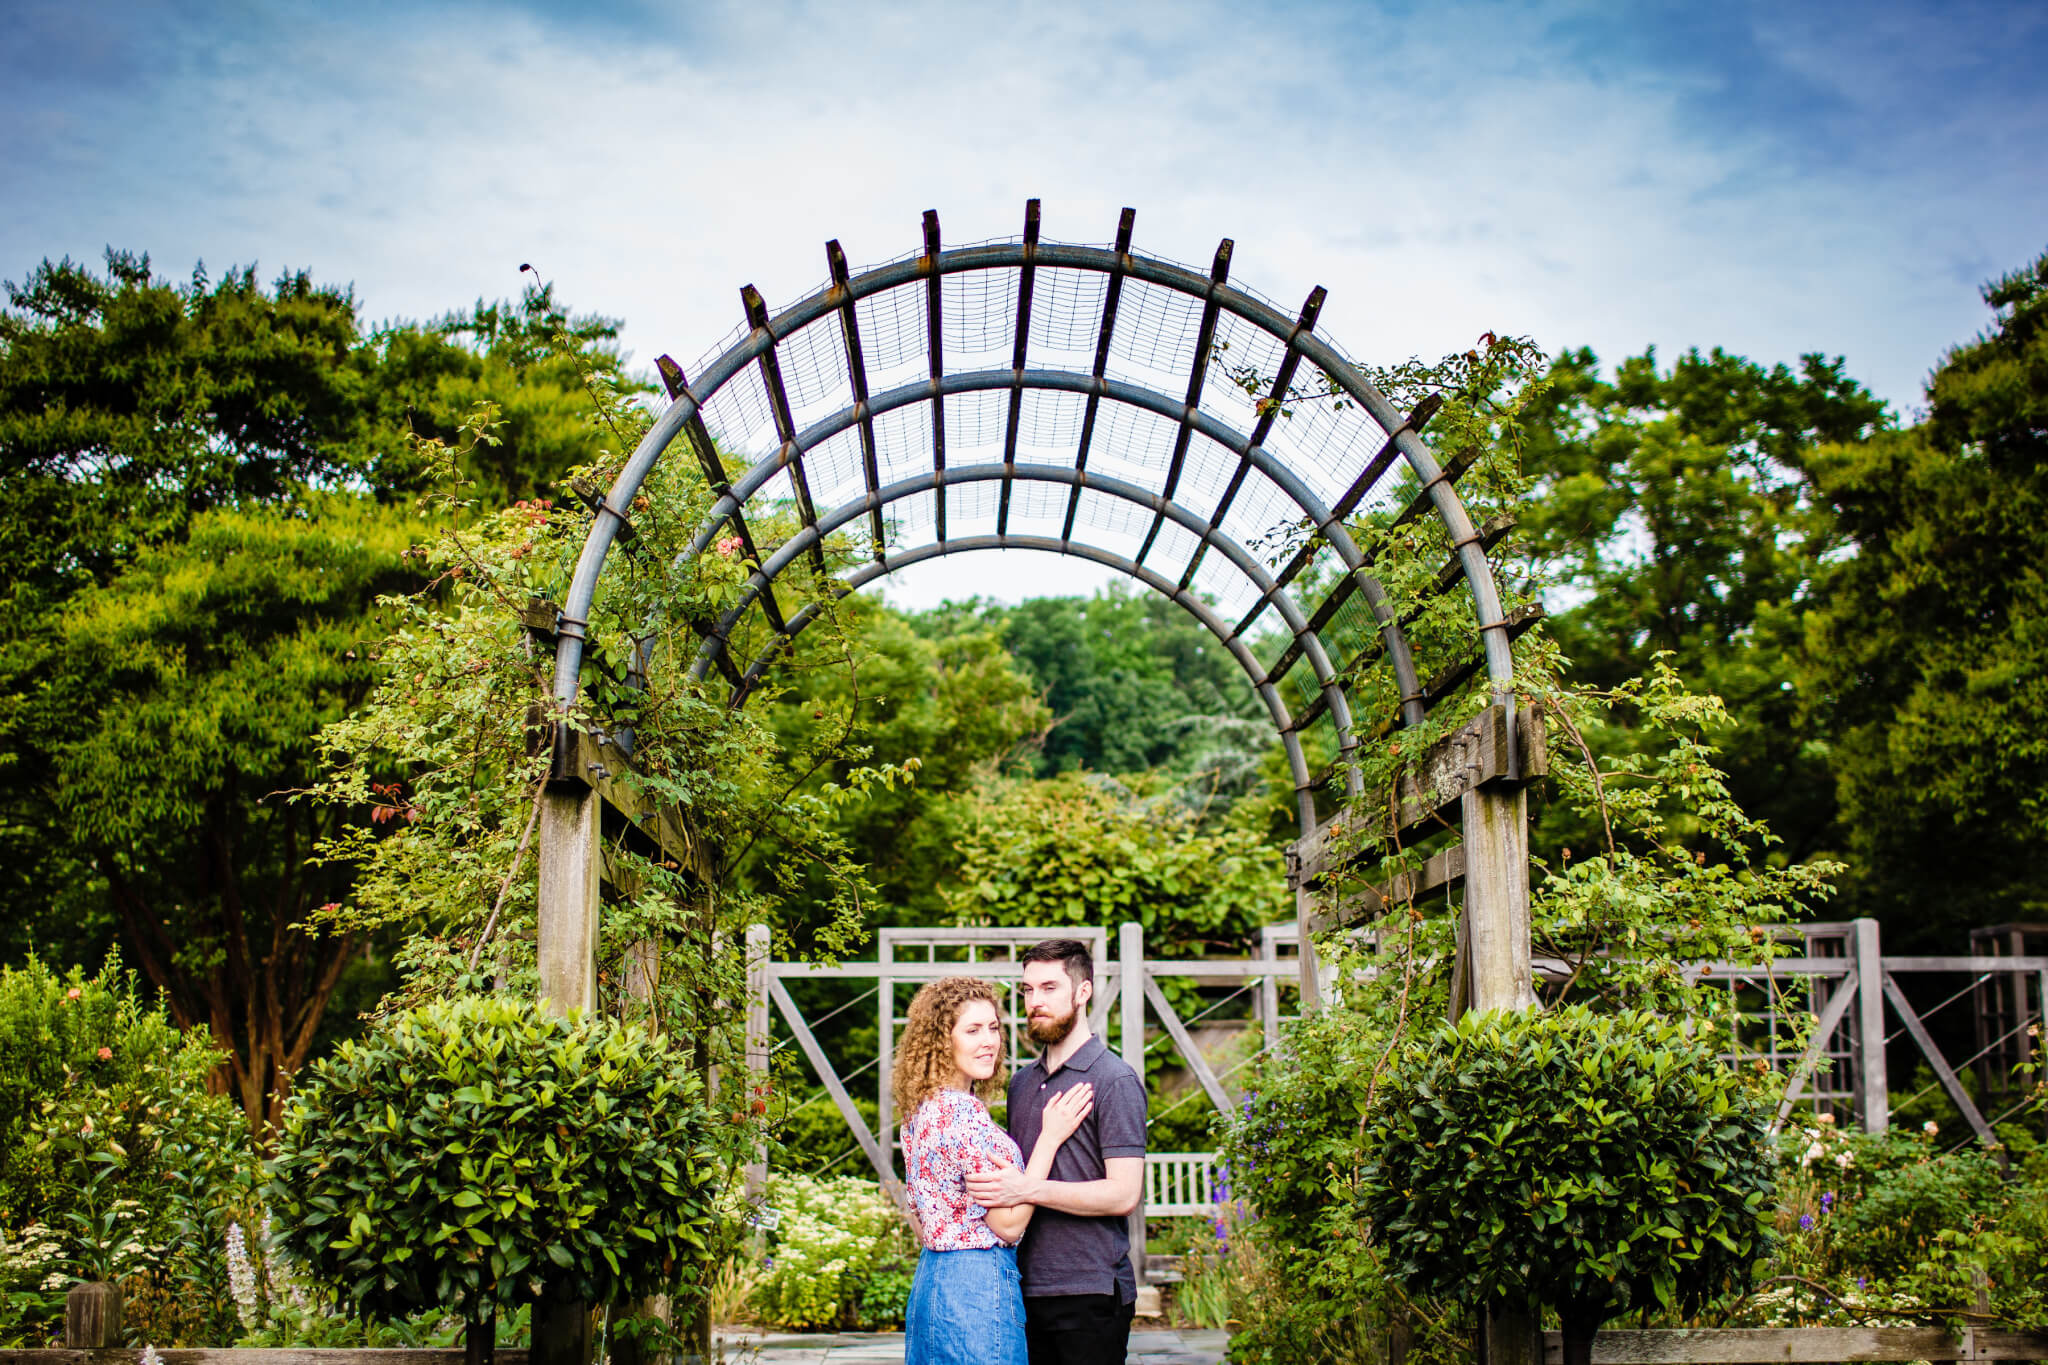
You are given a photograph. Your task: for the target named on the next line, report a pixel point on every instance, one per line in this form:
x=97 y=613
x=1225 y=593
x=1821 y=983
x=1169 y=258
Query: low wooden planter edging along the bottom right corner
x=1816 y=1346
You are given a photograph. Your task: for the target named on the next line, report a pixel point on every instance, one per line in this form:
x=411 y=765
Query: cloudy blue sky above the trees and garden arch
x=1773 y=179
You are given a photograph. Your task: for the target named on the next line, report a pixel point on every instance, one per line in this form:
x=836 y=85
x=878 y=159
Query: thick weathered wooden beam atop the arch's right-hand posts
x=1476 y=754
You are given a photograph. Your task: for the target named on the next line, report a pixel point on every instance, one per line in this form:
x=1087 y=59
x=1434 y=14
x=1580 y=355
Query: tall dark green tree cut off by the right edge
x=1926 y=646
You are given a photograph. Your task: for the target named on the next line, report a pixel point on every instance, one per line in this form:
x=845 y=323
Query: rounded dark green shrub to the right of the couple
x=1574 y=1161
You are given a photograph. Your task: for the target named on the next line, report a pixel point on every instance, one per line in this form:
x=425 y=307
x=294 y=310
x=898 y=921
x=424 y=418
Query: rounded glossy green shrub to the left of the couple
x=480 y=1153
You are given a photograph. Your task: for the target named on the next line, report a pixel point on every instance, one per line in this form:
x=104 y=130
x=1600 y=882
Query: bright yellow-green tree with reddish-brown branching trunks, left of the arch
x=194 y=685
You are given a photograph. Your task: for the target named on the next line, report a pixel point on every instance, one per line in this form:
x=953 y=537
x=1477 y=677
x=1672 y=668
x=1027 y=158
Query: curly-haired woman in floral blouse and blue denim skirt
x=968 y=1301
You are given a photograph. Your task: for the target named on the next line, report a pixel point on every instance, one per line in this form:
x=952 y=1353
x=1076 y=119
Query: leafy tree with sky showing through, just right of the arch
x=1672 y=511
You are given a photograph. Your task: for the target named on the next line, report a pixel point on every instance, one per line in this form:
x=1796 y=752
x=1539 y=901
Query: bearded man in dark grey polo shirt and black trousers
x=1076 y=1258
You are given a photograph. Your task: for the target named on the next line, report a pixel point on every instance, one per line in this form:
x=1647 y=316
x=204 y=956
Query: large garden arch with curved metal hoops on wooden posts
x=1080 y=400
